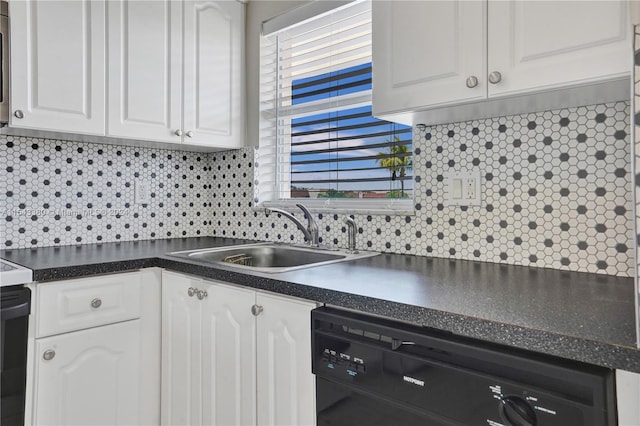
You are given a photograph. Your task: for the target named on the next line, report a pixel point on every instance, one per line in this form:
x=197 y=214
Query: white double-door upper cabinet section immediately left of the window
x=175 y=71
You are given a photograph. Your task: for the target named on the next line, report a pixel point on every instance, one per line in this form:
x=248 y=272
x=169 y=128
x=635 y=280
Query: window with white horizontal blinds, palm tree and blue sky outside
x=319 y=142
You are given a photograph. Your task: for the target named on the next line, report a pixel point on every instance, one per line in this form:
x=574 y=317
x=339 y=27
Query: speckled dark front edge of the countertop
x=548 y=343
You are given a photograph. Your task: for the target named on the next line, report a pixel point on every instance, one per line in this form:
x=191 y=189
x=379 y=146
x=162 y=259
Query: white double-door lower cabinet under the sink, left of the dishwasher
x=223 y=365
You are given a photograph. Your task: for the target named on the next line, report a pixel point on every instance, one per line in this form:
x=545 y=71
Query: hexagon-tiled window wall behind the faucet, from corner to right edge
x=556 y=193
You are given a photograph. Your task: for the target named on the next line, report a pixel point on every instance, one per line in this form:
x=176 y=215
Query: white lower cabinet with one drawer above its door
x=94 y=347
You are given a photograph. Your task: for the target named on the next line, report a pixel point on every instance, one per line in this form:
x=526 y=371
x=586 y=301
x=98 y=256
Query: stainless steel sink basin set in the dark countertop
x=270 y=257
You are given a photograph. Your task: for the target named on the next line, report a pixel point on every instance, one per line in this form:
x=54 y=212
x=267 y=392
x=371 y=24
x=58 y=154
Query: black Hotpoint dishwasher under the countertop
x=372 y=371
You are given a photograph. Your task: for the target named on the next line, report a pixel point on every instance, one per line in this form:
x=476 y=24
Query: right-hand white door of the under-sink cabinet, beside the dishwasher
x=286 y=385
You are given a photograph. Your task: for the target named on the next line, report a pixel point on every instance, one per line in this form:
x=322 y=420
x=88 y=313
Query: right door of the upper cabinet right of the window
x=539 y=45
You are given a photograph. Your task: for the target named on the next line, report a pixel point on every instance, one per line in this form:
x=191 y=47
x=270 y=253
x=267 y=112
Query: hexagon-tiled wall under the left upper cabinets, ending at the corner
x=60 y=192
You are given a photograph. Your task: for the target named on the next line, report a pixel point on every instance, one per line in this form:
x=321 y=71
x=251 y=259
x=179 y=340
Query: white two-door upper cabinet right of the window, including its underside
x=444 y=61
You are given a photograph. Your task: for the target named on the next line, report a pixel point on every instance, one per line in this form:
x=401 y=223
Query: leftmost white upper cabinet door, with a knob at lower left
x=58 y=65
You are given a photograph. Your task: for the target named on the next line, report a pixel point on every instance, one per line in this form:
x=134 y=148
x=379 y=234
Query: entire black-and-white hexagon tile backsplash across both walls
x=556 y=193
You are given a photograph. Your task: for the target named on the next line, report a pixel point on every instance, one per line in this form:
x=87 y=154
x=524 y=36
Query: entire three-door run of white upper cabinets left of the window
x=151 y=70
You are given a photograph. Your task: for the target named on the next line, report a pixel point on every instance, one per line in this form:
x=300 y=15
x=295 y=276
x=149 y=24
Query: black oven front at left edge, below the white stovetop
x=15 y=308
